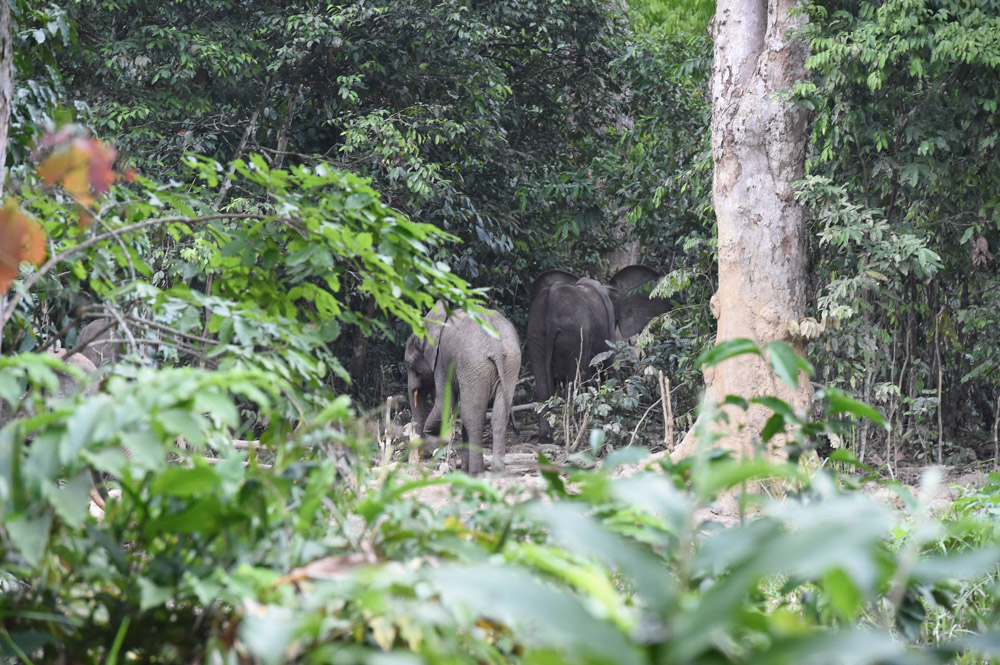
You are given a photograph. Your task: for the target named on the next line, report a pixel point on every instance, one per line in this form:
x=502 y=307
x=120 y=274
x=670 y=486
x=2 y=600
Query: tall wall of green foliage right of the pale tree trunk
x=903 y=194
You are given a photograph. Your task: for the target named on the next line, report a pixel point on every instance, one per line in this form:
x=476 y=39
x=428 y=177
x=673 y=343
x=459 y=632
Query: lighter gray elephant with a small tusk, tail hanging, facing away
x=484 y=370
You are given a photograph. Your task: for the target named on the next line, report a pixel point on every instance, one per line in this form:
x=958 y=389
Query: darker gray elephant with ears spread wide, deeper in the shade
x=571 y=320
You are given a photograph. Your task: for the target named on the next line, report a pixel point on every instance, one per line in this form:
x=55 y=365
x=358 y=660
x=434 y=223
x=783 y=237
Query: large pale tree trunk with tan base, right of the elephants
x=758 y=149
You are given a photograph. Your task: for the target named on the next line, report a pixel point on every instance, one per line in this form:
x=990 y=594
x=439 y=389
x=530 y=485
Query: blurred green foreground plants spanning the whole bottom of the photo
x=308 y=554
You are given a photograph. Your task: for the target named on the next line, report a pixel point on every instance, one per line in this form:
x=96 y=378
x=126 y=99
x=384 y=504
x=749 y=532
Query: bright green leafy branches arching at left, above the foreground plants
x=269 y=288
